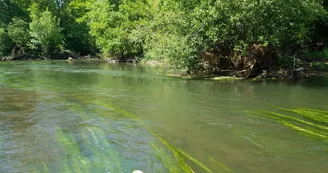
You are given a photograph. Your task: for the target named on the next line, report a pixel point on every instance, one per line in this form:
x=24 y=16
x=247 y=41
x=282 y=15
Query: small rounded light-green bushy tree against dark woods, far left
x=46 y=34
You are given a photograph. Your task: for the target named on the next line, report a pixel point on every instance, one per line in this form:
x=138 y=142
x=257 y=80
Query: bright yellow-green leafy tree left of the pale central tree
x=111 y=23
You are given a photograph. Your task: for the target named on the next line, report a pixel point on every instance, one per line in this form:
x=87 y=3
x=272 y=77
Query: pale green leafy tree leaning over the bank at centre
x=165 y=35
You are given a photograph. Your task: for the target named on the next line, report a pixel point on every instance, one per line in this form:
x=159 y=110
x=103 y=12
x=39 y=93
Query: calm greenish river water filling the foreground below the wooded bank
x=58 y=116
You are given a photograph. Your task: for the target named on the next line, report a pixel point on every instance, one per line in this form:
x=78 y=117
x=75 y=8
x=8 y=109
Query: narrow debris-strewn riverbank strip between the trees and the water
x=224 y=75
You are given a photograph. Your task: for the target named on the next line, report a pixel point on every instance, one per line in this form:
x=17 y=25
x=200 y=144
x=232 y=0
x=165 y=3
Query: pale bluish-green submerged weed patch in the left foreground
x=99 y=146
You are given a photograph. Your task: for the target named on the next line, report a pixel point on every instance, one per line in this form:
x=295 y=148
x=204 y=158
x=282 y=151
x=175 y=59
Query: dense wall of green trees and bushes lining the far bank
x=227 y=37
